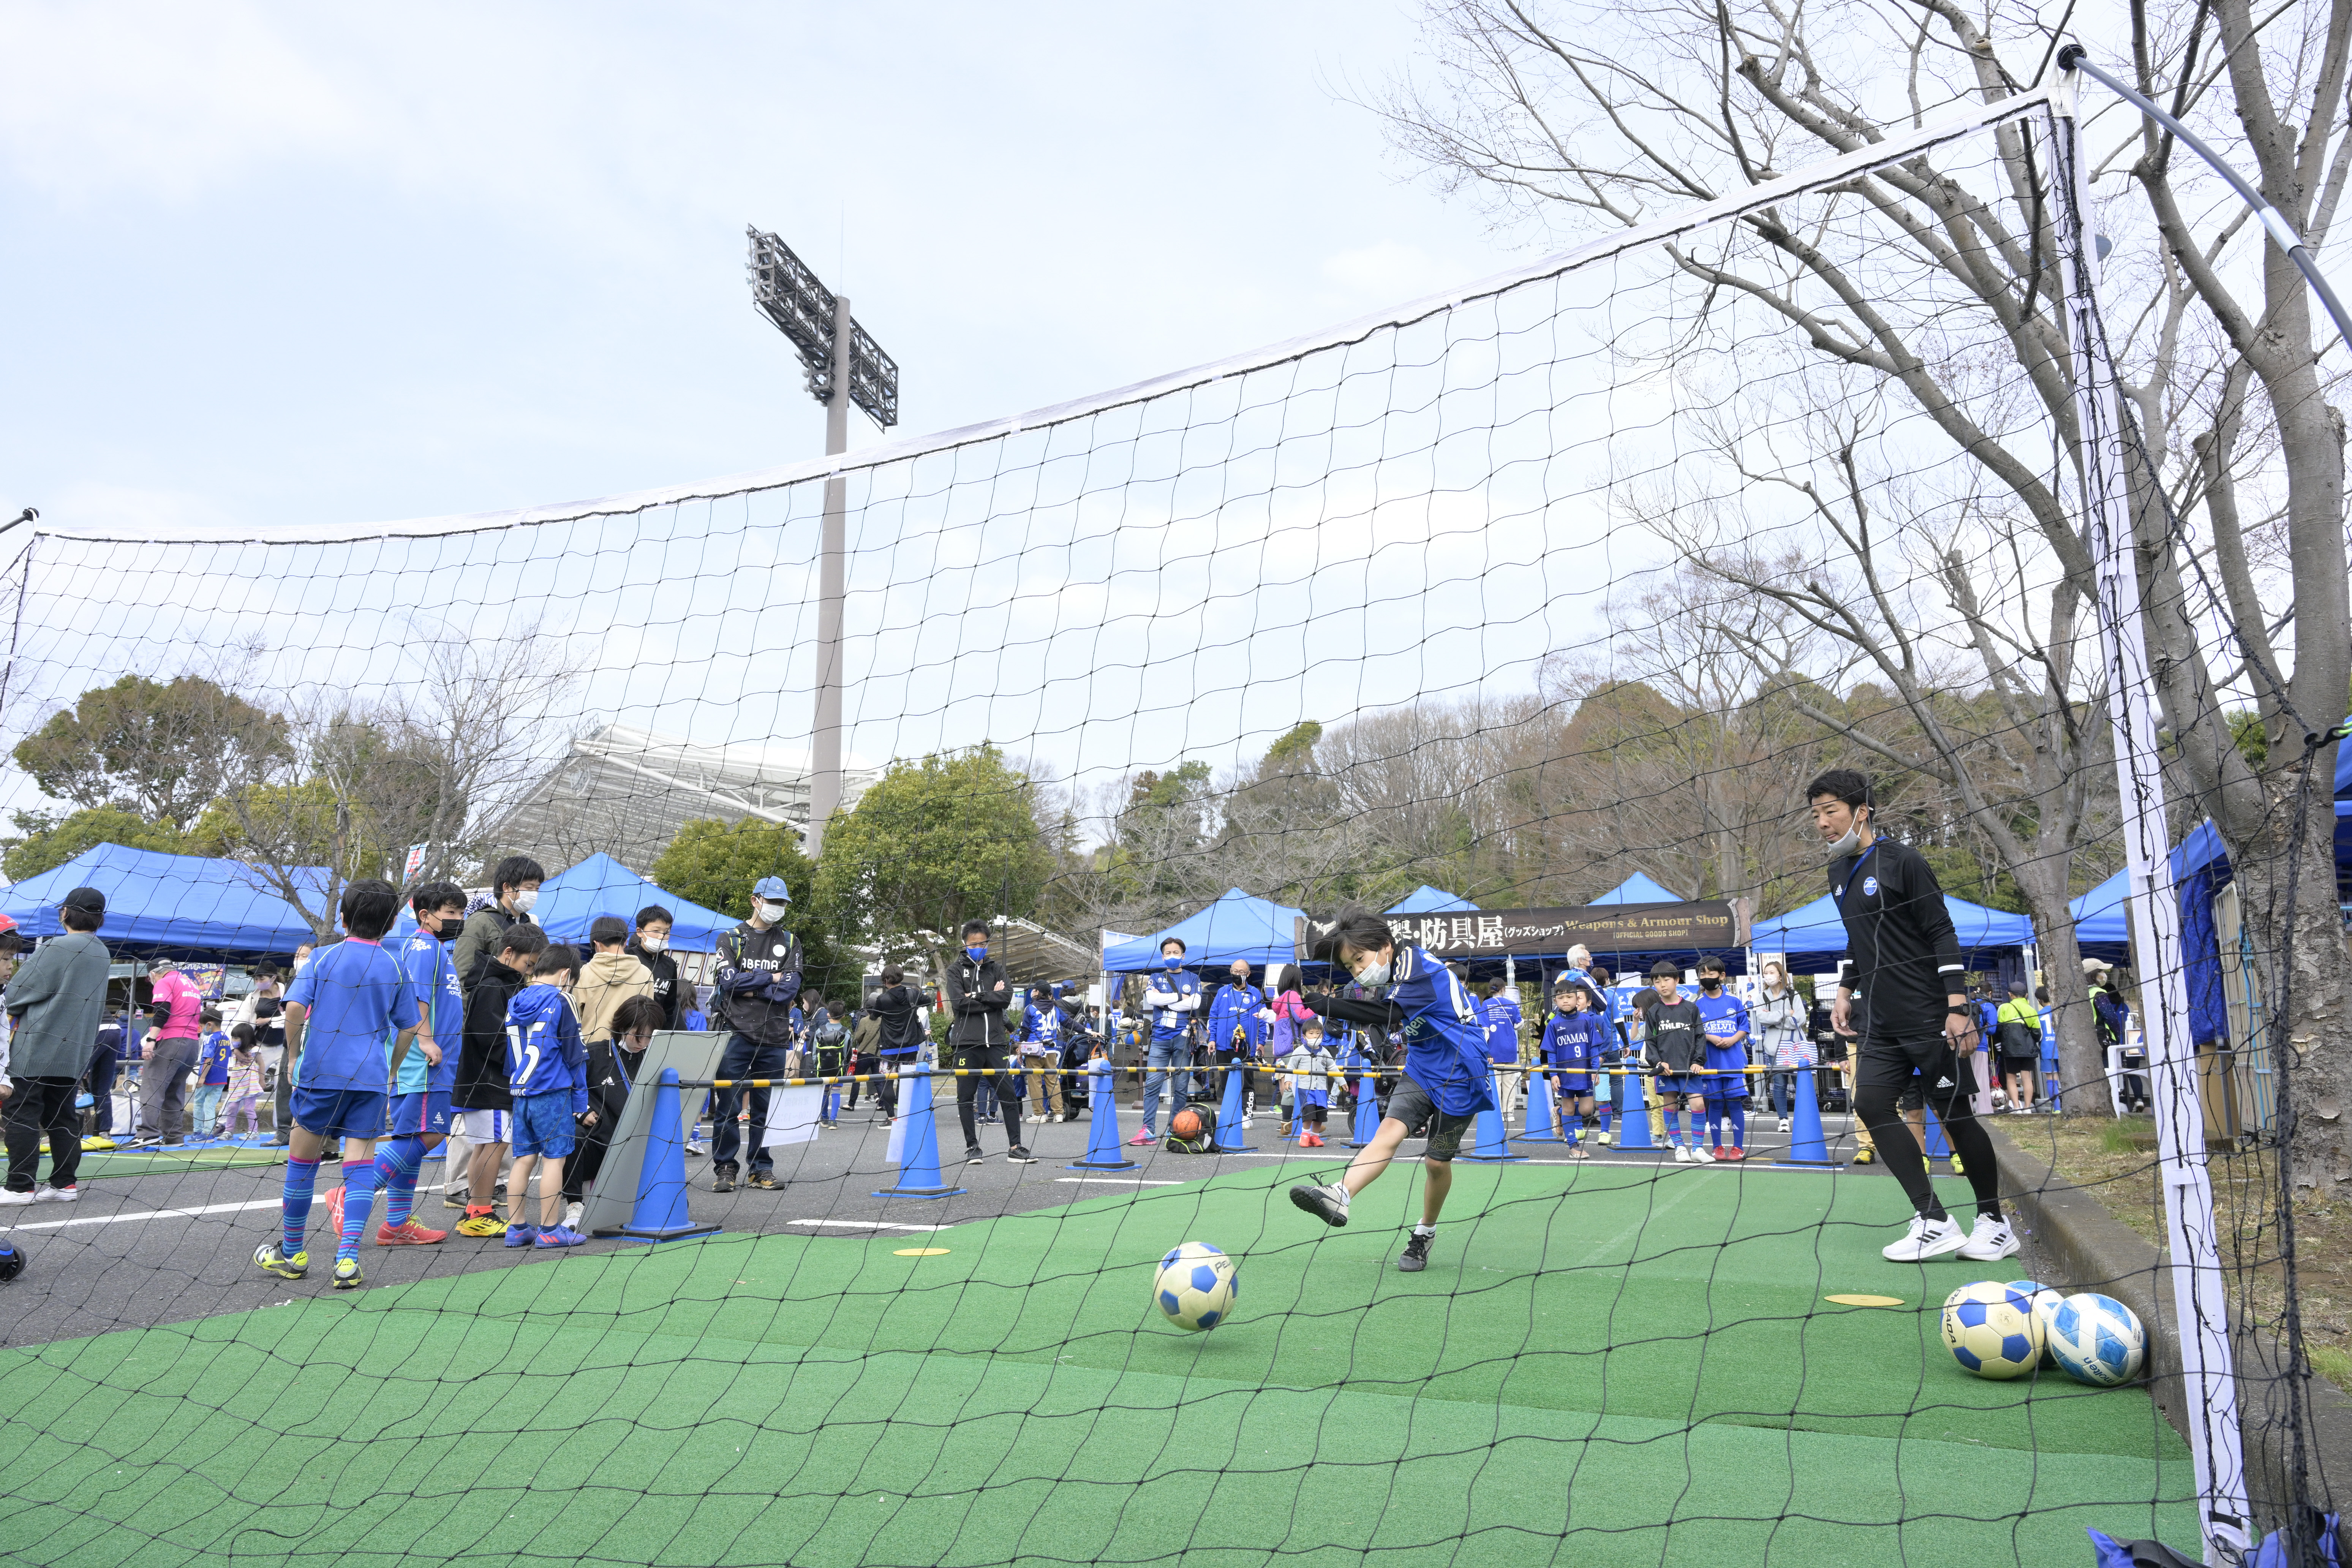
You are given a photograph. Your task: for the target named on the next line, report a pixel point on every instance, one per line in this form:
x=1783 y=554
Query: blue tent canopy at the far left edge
x=171 y=906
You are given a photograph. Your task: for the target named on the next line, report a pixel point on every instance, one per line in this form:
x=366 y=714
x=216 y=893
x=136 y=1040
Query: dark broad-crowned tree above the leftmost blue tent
x=161 y=751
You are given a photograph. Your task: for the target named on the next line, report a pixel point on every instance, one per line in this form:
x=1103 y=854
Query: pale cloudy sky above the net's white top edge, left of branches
x=338 y=264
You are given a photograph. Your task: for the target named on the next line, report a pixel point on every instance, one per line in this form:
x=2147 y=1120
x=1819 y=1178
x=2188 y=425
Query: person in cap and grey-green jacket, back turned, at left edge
x=55 y=1005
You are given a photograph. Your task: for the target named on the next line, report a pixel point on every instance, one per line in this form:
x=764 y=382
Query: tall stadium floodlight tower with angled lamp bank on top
x=846 y=368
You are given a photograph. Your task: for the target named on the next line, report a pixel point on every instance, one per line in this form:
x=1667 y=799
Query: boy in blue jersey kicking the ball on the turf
x=1445 y=1071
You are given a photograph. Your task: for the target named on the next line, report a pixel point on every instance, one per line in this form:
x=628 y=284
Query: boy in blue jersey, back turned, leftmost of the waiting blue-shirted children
x=345 y=1005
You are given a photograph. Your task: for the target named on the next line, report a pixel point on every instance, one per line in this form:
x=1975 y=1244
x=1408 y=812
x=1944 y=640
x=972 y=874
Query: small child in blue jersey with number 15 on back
x=547 y=1066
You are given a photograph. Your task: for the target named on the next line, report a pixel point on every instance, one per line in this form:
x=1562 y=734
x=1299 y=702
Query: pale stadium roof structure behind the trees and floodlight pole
x=629 y=791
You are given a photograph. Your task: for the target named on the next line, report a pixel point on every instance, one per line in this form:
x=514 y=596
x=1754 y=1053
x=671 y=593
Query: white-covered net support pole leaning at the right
x=2200 y=1308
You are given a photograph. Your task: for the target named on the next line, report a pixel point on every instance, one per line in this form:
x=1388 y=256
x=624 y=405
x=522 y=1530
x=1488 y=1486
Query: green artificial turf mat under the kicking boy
x=1601 y=1367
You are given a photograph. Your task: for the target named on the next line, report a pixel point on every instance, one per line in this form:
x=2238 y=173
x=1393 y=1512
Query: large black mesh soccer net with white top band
x=1523 y=619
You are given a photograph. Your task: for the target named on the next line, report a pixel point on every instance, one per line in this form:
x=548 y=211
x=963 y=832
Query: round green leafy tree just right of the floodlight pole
x=933 y=845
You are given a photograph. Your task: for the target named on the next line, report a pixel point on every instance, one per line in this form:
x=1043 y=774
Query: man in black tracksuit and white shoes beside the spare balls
x=1920 y=1026
